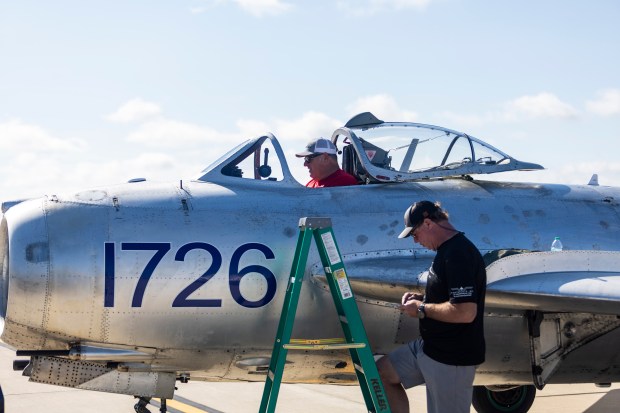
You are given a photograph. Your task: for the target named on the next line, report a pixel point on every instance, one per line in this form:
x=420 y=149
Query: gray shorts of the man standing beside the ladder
x=448 y=388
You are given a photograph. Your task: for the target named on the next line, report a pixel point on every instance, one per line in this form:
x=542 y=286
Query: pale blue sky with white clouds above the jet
x=99 y=92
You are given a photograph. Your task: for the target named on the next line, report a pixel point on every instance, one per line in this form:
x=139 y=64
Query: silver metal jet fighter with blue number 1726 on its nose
x=130 y=288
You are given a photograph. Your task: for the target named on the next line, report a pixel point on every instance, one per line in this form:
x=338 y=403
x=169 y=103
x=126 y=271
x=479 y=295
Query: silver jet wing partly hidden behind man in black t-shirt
x=567 y=281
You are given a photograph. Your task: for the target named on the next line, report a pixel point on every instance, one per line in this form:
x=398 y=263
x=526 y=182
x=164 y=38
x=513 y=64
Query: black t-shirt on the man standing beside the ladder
x=457 y=275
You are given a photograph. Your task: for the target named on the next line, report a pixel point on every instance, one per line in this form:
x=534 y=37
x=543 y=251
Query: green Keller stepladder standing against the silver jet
x=356 y=340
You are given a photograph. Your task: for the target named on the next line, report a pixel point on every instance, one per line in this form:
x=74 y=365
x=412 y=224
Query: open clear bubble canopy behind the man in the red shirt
x=378 y=151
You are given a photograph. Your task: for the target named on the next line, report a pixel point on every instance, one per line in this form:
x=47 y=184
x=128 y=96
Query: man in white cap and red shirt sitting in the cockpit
x=322 y=163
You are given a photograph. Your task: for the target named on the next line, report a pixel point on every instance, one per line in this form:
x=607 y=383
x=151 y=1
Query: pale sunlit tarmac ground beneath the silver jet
x=20 y=396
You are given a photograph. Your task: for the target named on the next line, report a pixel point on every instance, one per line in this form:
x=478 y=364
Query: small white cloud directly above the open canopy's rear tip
x=542 y=105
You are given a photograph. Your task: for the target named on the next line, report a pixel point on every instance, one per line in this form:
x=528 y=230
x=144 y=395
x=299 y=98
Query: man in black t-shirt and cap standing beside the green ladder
x=450 y=315
